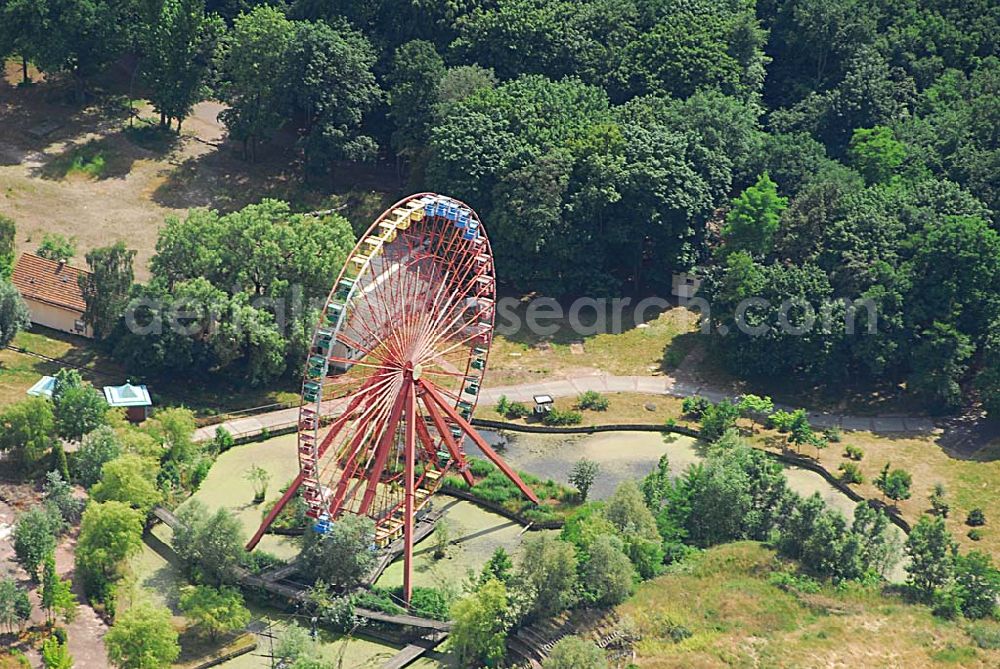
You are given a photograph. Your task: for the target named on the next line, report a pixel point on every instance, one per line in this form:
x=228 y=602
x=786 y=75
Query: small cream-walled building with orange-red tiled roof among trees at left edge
x=52 y=292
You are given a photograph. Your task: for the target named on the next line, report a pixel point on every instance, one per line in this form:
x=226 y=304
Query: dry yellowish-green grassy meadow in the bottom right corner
x=736 y=617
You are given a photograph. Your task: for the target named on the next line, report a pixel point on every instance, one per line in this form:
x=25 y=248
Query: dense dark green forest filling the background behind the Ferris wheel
x=808 y=149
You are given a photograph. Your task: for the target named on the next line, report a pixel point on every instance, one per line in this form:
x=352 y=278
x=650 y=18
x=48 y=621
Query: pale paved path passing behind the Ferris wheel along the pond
x=649 y=385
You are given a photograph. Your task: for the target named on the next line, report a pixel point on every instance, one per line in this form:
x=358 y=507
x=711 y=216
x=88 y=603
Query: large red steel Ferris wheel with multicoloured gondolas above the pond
x=394 y=372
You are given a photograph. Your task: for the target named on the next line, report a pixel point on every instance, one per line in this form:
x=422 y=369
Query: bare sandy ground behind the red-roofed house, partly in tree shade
x=143 y=181
